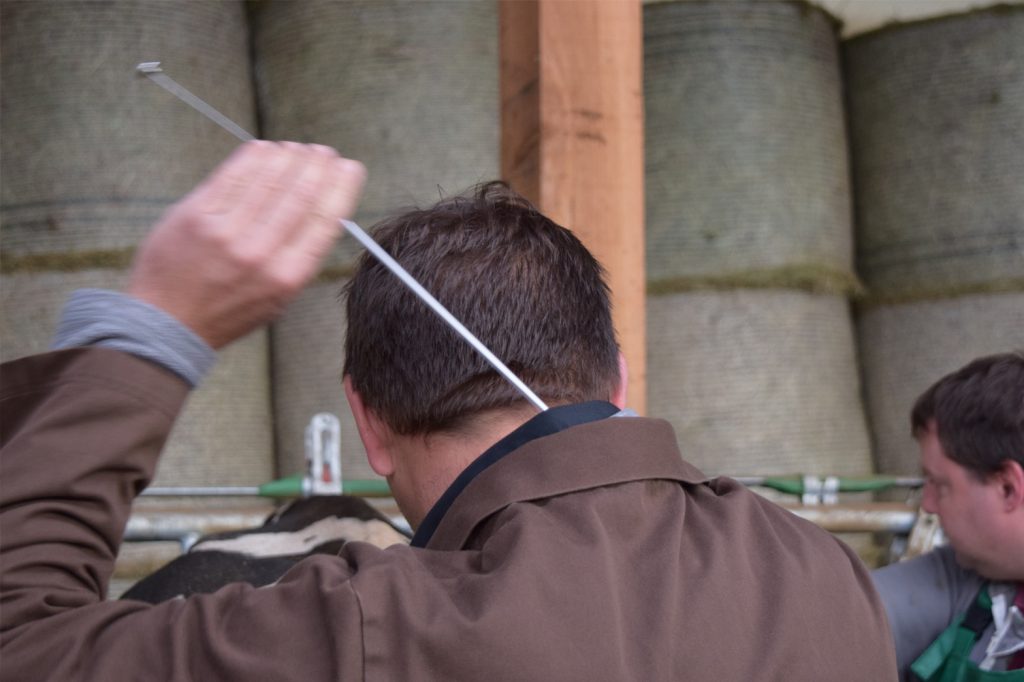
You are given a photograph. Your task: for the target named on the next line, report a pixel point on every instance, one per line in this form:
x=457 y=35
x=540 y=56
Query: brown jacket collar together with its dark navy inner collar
x=562 y=451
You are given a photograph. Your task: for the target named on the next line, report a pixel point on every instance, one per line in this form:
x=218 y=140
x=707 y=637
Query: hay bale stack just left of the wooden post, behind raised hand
x=409 y=89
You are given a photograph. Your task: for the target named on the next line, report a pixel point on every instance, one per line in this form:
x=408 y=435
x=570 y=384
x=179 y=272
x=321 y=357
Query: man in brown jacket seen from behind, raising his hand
x=571 y=544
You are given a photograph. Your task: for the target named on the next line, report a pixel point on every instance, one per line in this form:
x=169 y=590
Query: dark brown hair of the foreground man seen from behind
x=527 y=287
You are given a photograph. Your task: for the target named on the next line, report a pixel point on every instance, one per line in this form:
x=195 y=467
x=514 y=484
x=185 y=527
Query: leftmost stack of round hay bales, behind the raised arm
x=92 y=155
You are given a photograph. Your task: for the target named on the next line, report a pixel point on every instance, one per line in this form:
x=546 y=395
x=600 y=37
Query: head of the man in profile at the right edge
x=970 y=427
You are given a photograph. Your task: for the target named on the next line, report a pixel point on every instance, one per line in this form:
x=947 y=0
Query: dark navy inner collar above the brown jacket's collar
x=545 y=424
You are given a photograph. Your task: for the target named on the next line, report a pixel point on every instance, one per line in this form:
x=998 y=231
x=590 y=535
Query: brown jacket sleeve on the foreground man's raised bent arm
x=80 y=435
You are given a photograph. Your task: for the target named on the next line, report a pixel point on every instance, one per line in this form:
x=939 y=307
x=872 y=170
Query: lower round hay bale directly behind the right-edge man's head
x=907 y=349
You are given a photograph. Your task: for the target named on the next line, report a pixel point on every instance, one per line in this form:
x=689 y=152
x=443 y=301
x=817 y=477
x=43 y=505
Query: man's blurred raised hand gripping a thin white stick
x=231 y=255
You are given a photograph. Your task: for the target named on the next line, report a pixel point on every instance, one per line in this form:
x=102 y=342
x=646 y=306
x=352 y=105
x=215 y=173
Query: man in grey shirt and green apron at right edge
x=957 y=612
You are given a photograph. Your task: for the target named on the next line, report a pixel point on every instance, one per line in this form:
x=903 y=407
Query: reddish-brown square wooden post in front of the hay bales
x=573 y=139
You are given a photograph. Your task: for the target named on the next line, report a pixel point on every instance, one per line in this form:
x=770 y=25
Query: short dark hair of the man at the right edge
x=978 y=412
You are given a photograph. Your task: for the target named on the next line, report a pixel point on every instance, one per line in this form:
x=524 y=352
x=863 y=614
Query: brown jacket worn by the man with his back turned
x=595 y=553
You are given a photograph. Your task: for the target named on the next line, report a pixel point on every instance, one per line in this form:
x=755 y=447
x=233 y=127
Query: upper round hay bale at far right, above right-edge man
x=938 y=153
